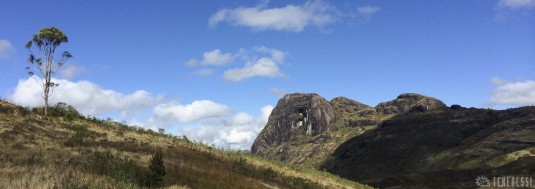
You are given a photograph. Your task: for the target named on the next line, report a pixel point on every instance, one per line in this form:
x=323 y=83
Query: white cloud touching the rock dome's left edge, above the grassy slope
x=236 y=132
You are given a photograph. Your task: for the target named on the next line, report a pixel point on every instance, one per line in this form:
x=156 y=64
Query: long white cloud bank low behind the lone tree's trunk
x=86 y=97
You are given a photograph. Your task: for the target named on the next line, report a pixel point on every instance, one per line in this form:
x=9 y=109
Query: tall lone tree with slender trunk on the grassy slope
x=44 y=45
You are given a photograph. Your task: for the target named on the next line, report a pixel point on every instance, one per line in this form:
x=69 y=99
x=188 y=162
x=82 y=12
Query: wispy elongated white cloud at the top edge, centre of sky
x=293 y=18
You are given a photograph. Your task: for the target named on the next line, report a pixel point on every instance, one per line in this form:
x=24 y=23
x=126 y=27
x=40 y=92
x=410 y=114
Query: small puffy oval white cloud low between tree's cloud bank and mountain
x=197 y=110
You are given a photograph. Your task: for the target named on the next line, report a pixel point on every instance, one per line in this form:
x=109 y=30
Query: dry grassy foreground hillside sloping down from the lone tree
x=66 y=150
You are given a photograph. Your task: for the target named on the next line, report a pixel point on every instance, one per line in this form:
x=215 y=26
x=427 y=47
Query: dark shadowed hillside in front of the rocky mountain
x=446 y=148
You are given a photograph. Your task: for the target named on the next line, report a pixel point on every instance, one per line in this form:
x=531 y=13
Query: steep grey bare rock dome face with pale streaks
x=295 y=115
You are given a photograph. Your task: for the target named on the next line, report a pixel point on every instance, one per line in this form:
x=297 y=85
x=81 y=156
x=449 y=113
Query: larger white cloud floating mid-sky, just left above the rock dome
x=254 y=66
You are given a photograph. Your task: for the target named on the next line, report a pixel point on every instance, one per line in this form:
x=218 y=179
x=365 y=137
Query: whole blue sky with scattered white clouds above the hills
x=213 y=70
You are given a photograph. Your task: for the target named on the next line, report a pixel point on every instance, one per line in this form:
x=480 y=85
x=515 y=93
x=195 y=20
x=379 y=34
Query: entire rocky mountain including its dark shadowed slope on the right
x=411 y=141
